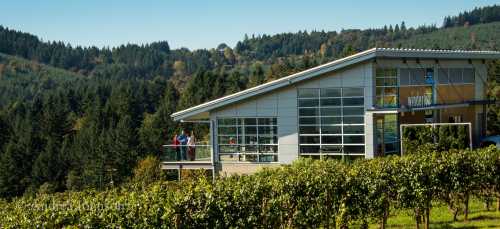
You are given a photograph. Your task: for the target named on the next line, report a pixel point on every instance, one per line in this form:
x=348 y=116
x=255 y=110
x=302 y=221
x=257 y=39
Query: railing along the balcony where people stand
x=184 y=153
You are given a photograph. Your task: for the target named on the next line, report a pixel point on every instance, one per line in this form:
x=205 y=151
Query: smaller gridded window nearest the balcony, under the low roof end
x=248 y=139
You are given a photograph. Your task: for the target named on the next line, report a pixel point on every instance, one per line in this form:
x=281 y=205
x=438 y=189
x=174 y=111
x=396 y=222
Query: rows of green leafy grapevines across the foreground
x=309 y=193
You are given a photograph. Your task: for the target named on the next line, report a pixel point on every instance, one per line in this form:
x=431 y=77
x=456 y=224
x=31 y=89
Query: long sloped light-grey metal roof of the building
x=332 y=66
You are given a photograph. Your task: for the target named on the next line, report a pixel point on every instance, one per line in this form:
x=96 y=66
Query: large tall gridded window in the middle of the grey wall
x=338 y=119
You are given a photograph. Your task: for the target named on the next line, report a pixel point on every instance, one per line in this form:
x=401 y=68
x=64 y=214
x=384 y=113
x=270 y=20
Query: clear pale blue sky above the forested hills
x=205 y=24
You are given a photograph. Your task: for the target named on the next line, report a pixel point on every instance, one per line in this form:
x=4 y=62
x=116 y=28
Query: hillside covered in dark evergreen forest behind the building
x=75 y=117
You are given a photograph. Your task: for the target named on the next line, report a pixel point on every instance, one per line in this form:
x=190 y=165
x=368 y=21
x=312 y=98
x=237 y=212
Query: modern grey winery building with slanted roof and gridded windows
x=351 y=107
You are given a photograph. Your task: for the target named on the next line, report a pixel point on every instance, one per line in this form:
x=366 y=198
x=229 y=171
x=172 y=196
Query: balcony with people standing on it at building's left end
x=187 y=157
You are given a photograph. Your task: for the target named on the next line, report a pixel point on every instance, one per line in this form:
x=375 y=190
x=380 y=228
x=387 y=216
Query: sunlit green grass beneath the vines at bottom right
x=441 y=217
